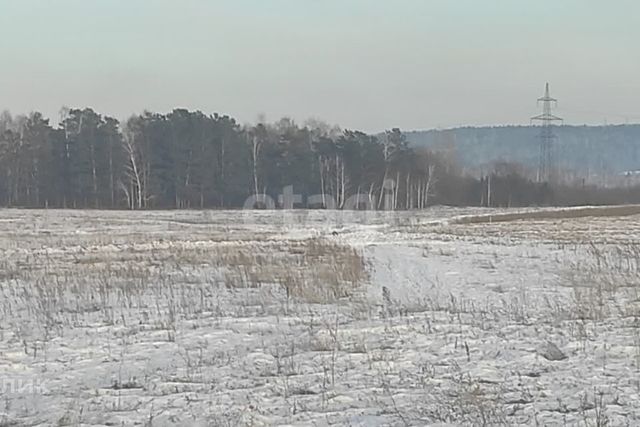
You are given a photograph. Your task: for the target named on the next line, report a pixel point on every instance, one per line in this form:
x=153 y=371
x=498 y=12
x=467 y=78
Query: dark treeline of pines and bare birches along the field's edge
x=188 y=159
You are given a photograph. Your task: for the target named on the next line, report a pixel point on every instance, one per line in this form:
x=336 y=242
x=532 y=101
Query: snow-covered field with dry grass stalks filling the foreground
x=447 y=317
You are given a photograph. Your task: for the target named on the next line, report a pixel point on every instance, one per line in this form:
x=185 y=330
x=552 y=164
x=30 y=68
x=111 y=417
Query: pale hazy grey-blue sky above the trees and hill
x=365 y=64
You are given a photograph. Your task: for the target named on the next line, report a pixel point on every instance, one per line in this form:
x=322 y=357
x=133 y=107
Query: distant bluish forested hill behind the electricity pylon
x=586 y=150
